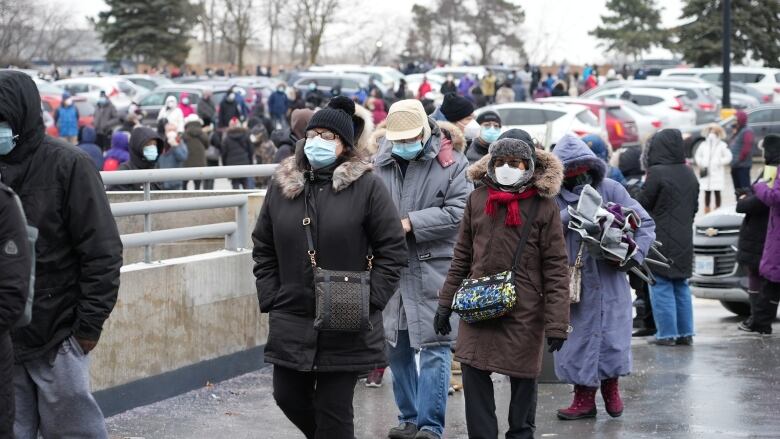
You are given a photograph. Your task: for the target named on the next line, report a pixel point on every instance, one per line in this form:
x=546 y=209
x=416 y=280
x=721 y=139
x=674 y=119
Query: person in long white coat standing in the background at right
x=712 y=157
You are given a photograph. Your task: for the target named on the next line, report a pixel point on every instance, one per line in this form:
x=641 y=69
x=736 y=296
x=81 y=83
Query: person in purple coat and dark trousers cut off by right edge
x=768 y=191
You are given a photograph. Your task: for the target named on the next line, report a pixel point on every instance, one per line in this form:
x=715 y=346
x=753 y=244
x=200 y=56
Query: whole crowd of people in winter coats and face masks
x=423 y=203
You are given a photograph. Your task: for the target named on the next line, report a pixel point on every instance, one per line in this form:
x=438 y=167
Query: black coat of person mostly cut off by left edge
x=15 y=261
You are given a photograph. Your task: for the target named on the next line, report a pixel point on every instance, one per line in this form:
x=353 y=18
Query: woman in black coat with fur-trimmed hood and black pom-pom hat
x=315 y=372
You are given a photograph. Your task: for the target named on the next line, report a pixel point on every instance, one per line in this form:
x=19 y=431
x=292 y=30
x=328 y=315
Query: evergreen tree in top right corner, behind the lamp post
x=754 y=32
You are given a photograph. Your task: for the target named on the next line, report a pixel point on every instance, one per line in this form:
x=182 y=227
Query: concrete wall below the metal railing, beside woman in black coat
x=178 y=313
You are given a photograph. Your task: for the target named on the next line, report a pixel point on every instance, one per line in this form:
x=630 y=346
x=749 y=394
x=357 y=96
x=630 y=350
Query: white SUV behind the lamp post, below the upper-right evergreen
x=764 y=79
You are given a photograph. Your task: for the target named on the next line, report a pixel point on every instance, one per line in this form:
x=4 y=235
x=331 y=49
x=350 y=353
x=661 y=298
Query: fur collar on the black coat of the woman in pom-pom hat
x=291 y=179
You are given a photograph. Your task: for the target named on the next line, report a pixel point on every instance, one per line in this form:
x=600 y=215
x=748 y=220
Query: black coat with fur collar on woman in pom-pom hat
x=352 y=210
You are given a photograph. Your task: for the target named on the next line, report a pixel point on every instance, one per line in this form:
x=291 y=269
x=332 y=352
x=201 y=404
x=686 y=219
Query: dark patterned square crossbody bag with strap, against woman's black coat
x=341 y=297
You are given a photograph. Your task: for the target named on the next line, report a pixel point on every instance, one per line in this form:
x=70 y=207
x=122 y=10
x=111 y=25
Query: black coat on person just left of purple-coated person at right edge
x=752 y=232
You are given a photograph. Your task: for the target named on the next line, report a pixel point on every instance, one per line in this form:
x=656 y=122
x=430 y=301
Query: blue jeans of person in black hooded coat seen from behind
x=672 y=308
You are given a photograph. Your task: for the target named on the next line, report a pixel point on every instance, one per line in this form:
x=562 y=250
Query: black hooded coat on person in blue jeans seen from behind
x=671 y=196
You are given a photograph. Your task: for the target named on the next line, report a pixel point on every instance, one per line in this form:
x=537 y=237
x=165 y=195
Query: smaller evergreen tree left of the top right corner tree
x=634 y=27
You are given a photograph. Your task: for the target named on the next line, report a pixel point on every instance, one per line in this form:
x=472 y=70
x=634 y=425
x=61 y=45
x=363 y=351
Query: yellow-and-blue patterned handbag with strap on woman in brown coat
x=491 y=297
